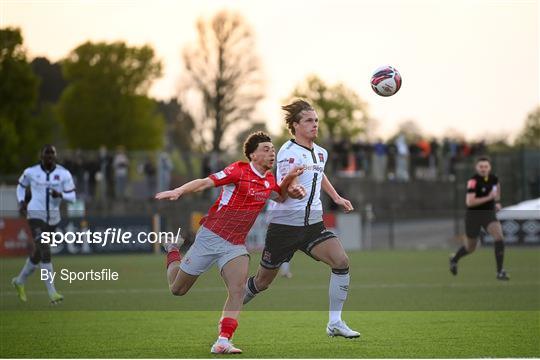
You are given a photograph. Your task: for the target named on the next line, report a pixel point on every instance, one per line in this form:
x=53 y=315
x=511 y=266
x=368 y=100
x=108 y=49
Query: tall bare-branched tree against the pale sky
x=223 y=71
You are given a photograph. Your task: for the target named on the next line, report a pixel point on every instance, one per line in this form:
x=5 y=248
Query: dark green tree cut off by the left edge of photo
x=20 y=138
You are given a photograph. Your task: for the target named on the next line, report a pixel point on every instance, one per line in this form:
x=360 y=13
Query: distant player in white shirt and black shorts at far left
x=49 y=184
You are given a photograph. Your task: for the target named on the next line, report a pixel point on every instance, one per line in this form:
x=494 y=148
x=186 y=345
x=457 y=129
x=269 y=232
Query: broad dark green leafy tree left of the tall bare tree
x=105 y=102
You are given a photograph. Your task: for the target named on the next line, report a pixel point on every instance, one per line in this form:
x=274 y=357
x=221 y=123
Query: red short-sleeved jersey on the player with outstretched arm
x=242 y=198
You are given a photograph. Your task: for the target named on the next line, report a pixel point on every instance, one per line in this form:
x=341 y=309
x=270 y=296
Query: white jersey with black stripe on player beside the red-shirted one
x=308 y=210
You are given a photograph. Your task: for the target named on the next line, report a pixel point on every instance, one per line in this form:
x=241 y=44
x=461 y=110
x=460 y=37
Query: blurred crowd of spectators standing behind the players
x=106 y=175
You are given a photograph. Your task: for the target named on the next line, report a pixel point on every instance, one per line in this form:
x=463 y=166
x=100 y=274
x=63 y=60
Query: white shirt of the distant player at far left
x=41 y=183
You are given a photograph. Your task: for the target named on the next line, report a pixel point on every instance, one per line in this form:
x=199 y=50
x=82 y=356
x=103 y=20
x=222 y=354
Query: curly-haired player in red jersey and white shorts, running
x=221 y=238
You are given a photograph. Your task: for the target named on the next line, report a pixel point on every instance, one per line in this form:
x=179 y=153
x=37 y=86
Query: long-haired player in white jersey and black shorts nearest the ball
x=297 y=224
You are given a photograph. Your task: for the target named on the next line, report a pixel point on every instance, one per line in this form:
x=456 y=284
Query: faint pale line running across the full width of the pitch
x=274 y=289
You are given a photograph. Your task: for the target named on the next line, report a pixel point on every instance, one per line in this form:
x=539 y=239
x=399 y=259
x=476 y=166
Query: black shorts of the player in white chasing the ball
x=282 y=241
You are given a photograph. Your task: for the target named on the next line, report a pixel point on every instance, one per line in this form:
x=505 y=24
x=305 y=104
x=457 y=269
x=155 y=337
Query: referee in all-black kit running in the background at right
x=483 y=200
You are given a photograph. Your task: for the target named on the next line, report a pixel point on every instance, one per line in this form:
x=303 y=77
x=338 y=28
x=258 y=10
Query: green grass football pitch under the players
x=405 y=304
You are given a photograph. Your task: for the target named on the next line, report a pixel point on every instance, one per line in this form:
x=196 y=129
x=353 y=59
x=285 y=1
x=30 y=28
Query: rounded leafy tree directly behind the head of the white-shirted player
x=341 y=111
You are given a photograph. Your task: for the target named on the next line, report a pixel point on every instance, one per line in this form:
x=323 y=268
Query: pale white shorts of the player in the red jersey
x=207 y=249
